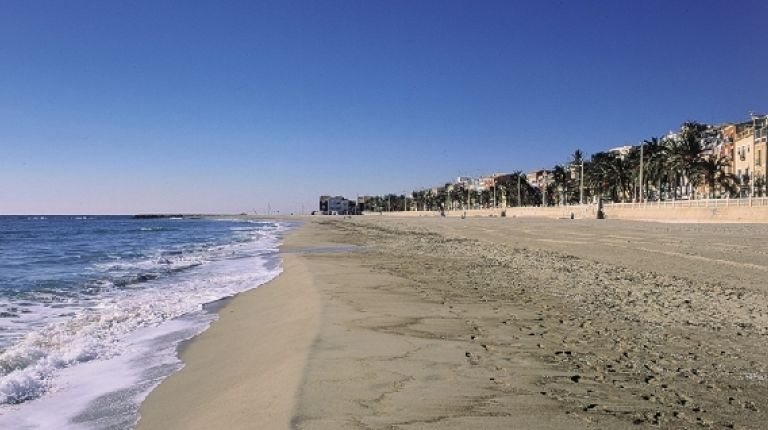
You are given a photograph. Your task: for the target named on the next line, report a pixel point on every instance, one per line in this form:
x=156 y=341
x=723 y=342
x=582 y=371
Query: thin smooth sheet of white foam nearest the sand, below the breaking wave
x=107 y=393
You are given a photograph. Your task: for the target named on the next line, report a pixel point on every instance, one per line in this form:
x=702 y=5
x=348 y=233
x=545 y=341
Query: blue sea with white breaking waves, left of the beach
x=93 y=309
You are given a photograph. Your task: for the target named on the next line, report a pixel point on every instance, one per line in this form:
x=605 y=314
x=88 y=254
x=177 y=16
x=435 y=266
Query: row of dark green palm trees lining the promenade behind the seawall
x=681 y=166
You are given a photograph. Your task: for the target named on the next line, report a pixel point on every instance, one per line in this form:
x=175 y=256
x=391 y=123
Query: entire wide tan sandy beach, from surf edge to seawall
x=434 y=323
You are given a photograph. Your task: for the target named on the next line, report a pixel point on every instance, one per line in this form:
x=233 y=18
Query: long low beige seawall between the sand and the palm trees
x=637 y=212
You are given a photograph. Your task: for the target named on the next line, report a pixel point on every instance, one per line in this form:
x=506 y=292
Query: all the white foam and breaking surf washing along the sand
x=124 y=340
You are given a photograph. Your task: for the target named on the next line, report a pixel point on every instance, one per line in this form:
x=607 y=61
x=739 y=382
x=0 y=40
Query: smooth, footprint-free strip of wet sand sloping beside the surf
x=249 y=362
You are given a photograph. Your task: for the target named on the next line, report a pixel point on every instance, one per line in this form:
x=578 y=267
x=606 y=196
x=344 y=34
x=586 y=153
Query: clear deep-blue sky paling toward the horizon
x=226 y=106
